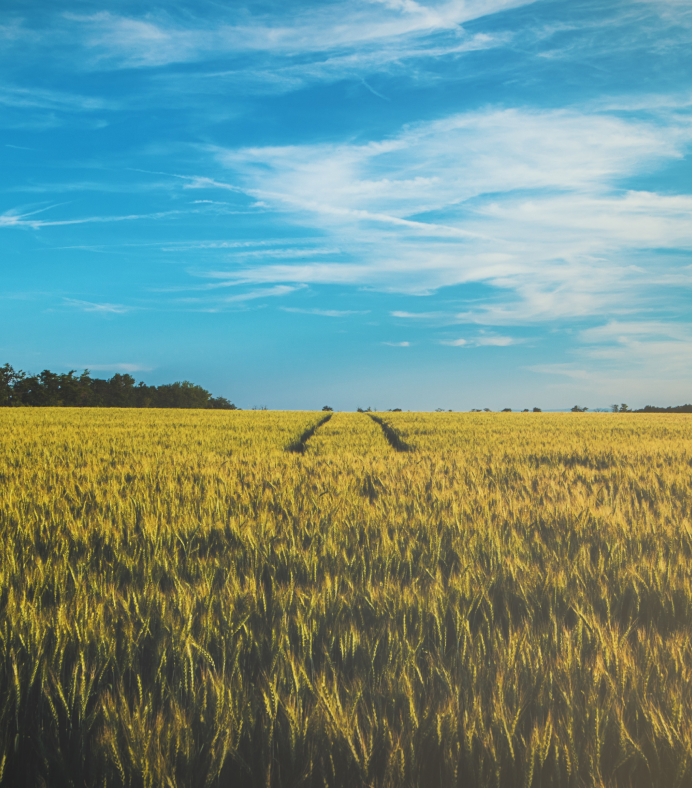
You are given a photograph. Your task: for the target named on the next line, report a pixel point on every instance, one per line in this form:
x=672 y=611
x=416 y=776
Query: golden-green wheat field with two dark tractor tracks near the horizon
x=186 y=602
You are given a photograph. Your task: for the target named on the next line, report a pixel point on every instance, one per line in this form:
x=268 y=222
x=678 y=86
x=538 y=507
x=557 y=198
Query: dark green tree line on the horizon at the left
x=50 y=389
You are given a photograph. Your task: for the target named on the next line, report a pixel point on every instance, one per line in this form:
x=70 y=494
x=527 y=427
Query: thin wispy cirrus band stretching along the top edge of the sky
x=359 y=36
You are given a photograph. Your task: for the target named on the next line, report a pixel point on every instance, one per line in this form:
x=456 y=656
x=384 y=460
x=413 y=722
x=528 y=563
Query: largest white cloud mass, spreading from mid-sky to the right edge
x=524 y=200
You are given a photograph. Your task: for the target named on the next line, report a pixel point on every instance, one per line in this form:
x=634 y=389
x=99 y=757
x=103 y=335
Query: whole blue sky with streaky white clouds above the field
x=374 y=203
